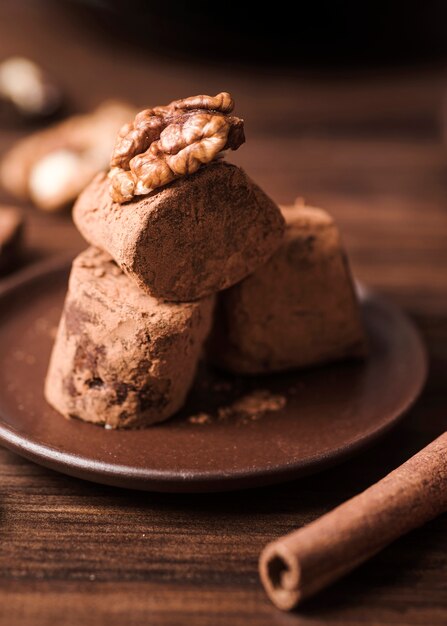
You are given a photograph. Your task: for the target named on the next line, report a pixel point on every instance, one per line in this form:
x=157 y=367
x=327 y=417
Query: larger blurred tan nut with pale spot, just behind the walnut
x=51 y=167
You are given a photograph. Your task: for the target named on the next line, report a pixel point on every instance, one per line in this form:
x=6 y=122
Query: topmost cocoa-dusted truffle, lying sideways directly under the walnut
x=198 y=235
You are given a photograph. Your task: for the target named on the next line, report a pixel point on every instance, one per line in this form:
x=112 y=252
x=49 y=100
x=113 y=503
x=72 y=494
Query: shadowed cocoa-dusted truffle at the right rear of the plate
x=299 y=309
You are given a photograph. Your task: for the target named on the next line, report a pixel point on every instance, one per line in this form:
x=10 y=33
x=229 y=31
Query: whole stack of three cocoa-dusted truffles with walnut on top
x=172 y=227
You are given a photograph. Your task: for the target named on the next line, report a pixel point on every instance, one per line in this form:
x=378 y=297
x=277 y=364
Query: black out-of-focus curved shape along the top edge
x=305 y=34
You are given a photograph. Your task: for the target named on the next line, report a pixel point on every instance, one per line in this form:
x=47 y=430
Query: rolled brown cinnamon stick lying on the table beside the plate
x=301 y=563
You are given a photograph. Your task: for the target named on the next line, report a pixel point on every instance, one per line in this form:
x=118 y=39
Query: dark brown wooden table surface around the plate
x=369 y=149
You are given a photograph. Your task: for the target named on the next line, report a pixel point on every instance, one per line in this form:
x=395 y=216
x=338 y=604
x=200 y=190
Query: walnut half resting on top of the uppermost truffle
x=166 y=142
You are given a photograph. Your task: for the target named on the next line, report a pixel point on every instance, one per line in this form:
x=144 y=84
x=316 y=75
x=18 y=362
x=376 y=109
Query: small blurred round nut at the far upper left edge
x=27 y=93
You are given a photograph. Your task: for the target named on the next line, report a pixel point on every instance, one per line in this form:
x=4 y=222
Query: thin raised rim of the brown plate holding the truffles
x=113 y=474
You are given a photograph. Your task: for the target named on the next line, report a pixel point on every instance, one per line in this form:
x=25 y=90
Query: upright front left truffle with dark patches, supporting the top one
x=121 y=357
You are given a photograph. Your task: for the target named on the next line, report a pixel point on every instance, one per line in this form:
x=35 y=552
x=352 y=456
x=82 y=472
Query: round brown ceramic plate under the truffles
x=330 y=412
